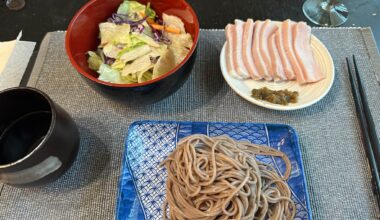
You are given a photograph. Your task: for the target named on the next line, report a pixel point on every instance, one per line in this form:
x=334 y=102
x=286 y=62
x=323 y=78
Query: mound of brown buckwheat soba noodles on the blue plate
x=220 y=178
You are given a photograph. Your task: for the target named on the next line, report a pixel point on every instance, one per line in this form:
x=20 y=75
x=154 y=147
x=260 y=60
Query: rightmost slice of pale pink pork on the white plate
x=302 y=48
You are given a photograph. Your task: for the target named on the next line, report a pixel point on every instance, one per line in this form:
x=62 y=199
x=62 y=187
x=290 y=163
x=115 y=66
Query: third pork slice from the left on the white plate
x=247 y=50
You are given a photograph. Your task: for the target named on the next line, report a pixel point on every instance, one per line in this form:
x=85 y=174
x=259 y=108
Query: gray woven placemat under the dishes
x=338 y=176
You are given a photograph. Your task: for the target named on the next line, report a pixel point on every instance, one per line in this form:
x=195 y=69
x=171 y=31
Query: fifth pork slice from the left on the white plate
x=267 y=30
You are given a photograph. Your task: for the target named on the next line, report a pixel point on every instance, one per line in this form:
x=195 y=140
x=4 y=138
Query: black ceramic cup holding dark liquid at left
x=38 y=139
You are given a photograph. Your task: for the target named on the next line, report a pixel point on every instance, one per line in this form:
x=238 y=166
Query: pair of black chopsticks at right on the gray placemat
x=371 y=142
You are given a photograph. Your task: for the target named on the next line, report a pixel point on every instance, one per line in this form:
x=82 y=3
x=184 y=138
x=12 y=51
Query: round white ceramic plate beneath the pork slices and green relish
x=308 y=94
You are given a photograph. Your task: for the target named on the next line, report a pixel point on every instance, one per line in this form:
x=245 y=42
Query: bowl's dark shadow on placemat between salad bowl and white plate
x=204 y=84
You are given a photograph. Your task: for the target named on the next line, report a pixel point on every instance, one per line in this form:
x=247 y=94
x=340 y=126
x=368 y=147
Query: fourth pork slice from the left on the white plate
x=256 y=53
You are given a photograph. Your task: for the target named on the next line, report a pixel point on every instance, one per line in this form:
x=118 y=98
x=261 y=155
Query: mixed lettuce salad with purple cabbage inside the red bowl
x=137 y=46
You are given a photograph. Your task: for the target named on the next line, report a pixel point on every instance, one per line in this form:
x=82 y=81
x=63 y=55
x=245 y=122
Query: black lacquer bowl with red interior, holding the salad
x=82 y=36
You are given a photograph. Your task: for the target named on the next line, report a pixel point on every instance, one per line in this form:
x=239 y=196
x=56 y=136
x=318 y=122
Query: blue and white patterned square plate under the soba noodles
x=142 y=181
